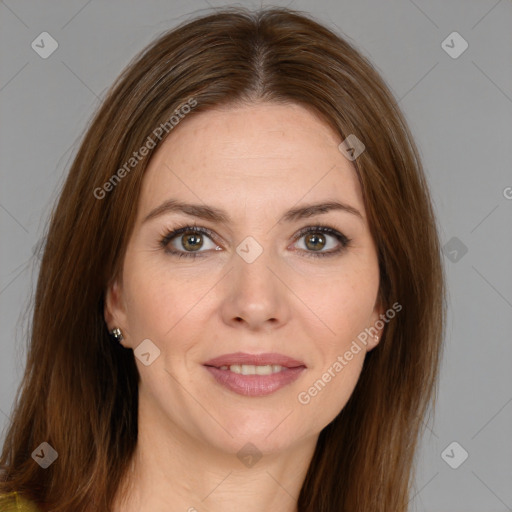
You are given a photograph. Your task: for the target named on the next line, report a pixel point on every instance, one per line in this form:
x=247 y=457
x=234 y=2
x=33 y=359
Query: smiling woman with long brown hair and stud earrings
x=241 y=302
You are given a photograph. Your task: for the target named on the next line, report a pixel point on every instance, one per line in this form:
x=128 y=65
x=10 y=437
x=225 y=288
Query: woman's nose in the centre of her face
x=255 y=295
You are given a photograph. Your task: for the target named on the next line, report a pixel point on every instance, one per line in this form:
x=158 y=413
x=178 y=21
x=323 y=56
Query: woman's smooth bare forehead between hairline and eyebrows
x=263 y=156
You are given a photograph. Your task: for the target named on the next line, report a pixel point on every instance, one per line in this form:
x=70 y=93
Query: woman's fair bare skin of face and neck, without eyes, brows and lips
x=256 y=162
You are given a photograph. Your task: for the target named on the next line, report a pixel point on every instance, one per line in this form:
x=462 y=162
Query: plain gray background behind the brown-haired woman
x=460 y=112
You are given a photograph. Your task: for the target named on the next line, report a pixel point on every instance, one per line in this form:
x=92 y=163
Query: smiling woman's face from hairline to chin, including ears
x=257 y=284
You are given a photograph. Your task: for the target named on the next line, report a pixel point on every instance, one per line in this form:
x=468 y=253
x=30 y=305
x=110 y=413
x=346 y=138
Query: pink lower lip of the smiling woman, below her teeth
x=255 y=385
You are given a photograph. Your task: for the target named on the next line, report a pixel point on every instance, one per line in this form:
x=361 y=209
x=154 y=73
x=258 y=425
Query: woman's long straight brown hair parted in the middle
x=80 y=389
